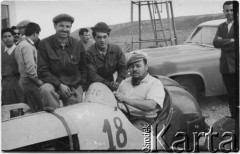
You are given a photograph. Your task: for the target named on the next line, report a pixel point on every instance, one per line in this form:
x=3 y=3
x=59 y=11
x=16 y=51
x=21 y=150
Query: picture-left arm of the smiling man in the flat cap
x=44 y=67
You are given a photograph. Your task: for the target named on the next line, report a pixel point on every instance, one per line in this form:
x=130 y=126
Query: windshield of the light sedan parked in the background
x=203 y=35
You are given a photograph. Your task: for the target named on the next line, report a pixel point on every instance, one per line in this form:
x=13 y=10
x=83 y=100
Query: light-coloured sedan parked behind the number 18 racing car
x=194 y=65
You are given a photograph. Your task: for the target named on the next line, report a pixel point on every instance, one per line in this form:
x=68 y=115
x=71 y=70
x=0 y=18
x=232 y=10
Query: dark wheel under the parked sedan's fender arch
x=189 y=85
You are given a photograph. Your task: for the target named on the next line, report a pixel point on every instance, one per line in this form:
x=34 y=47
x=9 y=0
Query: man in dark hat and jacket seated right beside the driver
x=104 y=58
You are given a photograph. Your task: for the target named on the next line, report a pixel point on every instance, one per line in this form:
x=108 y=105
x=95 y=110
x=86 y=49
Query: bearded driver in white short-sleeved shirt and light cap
x=141 y=93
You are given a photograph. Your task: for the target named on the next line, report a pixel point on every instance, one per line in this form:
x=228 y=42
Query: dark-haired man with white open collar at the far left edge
x=11 y=92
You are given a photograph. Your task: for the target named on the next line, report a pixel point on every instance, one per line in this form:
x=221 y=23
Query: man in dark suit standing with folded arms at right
x=224 y=39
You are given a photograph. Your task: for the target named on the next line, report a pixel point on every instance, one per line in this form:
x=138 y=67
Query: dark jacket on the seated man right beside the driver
x=102 y=69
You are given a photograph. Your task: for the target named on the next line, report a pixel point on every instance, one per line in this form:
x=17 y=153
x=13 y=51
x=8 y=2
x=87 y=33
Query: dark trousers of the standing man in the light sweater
x=31 y=94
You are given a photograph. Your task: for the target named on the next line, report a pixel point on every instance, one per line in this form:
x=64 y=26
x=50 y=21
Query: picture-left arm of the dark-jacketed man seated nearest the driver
x=92 y=71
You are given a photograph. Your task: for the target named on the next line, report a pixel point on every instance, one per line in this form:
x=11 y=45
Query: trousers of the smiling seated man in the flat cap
x=51 y=98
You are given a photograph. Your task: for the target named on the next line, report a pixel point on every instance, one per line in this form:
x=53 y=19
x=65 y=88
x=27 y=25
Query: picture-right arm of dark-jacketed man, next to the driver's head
x=121 y=67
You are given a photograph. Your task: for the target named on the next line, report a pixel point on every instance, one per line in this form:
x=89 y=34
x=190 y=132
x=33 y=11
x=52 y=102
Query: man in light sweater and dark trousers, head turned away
x=26 y=56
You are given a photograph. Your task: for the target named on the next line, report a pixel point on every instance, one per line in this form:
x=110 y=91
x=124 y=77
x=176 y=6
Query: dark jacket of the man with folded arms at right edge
x=227 y=59
